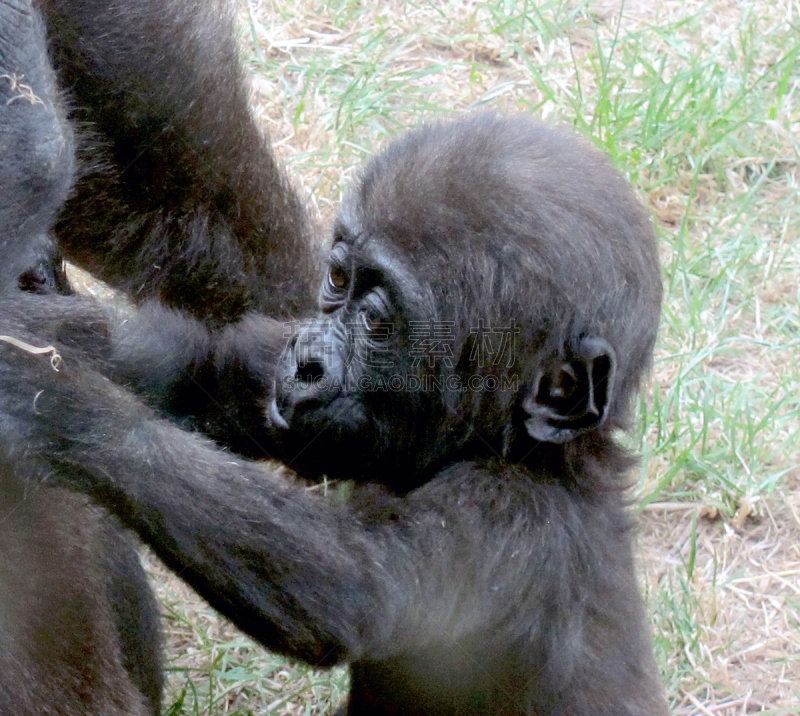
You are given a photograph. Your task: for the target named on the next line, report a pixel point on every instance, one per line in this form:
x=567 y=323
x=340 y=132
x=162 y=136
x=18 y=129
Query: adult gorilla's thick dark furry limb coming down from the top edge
x=182 y=199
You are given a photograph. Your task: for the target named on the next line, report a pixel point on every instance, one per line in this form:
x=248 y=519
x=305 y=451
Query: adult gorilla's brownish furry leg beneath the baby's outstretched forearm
x=66 y=647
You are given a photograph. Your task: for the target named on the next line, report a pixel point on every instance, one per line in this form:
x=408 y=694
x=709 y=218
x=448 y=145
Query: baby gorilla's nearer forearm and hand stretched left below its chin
x=298 y=574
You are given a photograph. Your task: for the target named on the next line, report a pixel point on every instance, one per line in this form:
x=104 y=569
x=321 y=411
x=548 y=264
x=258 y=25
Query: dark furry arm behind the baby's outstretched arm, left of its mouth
x=217 y=382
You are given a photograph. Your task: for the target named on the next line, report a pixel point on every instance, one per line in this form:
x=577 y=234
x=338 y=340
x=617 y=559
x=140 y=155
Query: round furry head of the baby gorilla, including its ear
x=493 y=285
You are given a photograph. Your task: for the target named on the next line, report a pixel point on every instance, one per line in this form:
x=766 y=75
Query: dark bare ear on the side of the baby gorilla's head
x=571 y=397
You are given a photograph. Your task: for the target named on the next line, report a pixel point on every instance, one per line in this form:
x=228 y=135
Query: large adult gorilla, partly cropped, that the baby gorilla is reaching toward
x=178 y=201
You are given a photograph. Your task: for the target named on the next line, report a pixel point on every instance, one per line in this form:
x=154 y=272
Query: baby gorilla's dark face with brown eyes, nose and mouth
x=355 y=384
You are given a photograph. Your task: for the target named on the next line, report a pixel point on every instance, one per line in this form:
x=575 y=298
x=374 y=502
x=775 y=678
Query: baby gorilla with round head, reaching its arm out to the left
x=489 y=311
